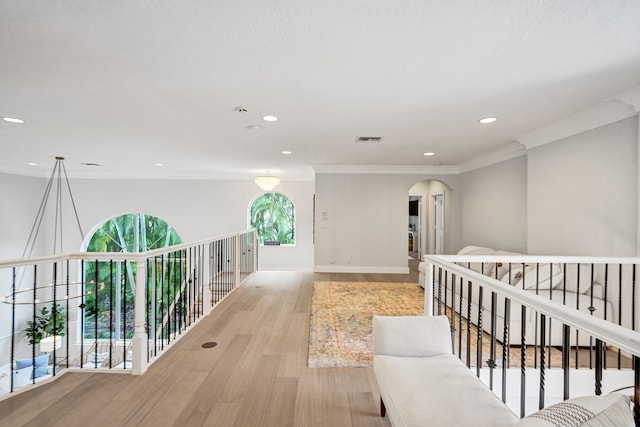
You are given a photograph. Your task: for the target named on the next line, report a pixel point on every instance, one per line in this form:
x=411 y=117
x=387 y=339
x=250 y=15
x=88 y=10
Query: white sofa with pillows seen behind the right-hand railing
x=553 y=283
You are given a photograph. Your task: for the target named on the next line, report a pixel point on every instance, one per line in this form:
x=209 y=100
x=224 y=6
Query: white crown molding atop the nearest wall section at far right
x=606 y=112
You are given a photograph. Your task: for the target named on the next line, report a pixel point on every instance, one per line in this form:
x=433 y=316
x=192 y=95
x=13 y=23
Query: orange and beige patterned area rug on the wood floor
x=341 y=315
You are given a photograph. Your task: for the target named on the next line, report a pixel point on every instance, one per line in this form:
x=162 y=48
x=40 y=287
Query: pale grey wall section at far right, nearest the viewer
x=582 y=193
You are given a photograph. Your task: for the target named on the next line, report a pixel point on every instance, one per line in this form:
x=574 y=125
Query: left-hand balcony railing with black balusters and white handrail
x=108 y=318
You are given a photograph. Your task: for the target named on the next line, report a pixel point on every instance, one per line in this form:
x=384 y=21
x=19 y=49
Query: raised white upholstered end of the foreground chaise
x=411 y=336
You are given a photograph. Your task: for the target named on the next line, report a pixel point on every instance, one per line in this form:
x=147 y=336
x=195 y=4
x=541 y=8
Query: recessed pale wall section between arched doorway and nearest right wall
x=494 y=206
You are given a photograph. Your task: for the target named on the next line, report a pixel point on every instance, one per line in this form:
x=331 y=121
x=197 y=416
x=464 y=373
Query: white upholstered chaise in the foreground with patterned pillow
x=422 y=383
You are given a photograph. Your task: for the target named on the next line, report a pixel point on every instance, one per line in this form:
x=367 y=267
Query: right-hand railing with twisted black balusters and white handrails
x=533 y=336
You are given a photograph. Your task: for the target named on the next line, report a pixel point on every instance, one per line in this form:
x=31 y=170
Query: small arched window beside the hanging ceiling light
x=273 y=217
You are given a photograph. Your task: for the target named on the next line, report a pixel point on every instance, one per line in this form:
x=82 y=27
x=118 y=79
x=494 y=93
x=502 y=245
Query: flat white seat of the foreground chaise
x=437 y=391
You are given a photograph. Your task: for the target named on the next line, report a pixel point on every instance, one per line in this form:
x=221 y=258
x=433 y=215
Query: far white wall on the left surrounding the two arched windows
x=196 y=209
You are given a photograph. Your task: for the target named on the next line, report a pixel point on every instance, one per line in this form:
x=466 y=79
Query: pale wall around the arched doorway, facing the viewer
x=361 y=221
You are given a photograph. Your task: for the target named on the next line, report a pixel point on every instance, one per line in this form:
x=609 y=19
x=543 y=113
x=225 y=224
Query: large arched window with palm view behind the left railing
x=108 y=304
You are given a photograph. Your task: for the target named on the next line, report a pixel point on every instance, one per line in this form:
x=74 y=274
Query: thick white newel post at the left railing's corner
x=139 y=362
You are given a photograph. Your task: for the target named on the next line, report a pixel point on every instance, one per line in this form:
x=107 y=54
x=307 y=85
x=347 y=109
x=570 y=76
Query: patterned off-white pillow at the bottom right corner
x=610 y=410
